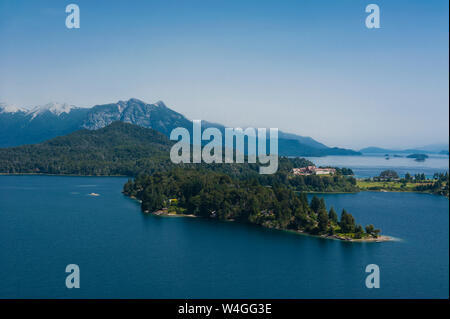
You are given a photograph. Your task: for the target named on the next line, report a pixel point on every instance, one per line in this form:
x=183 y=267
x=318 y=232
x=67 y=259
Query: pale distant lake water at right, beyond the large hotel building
x=372 y=165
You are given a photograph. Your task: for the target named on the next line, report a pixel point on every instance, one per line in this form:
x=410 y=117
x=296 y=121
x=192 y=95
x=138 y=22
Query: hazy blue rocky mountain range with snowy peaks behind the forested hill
x=20 y=125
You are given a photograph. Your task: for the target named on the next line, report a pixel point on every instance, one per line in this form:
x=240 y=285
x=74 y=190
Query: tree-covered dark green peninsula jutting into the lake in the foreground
x=200 y=193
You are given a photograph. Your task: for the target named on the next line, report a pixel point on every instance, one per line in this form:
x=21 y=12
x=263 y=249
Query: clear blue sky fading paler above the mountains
x=307 y=67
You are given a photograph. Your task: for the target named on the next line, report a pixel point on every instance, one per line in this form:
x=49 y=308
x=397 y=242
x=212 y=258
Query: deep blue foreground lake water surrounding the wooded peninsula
x=48 y=222
